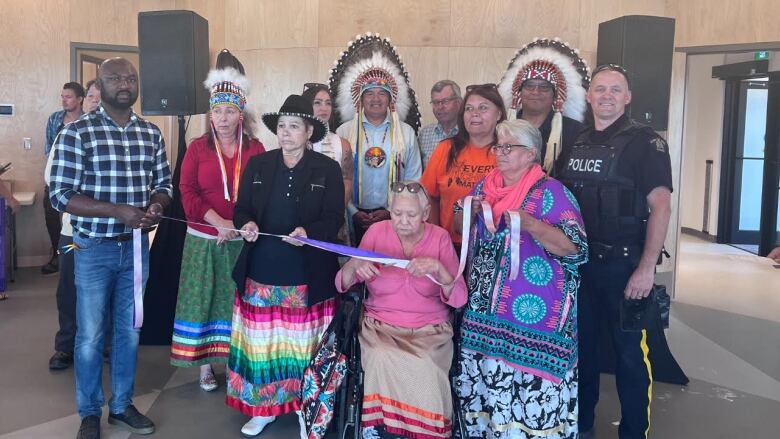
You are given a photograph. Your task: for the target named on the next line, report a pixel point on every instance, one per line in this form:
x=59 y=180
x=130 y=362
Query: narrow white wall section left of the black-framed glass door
x=702 y=140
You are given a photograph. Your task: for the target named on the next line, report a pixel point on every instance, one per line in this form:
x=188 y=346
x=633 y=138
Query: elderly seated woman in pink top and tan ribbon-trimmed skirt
x=406 y=335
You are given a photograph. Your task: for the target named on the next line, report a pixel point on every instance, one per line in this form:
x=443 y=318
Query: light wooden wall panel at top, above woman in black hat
x=267 y=24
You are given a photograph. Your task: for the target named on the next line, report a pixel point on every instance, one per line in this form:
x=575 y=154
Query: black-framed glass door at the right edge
x=749 y=190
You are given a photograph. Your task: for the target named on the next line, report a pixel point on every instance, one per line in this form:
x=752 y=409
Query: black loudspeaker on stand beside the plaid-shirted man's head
x=174 y=58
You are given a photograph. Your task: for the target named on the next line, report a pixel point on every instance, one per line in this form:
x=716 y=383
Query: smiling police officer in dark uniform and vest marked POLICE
x=620 y=173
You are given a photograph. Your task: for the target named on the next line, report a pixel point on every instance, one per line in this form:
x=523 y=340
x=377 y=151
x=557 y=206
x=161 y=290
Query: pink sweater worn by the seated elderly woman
x=398 y=298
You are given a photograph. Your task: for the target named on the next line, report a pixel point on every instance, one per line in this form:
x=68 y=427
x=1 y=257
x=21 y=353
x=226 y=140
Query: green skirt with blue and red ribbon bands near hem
x=201 y=329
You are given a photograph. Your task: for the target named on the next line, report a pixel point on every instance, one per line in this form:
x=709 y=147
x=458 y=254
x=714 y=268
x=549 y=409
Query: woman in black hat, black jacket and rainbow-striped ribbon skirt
x=285 y=297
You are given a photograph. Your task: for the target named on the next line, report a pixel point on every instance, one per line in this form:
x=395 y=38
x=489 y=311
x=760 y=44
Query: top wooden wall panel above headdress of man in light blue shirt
x=406 y=22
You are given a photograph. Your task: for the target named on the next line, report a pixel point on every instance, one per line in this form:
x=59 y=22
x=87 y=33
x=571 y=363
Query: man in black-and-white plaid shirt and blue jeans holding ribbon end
x=110 y=172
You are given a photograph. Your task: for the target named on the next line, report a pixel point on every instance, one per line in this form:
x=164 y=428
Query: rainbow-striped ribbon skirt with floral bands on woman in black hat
x=272 y=341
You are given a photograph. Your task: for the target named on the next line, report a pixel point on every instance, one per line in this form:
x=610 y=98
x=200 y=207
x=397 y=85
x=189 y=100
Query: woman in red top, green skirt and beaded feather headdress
x=210 y=175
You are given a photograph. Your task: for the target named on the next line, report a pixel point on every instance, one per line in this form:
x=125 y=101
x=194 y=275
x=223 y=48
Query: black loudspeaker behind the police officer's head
x=643 y=45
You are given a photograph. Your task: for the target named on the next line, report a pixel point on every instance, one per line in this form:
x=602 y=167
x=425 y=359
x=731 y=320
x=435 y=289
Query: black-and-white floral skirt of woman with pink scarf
x=499 y=401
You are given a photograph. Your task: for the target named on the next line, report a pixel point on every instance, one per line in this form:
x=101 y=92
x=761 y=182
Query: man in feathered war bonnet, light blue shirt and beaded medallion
x=374 y=98
